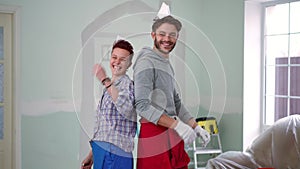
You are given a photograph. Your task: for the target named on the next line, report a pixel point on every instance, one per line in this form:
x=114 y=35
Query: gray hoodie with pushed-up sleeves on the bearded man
x=155 y=88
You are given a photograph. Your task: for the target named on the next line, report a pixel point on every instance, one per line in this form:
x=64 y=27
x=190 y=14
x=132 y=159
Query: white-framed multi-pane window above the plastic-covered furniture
x=281 y=37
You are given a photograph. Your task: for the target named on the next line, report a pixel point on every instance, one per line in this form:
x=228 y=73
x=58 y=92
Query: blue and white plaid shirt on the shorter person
x=116 y=121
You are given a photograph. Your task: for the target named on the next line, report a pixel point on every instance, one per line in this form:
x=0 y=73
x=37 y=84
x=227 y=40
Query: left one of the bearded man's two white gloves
x=185 y=132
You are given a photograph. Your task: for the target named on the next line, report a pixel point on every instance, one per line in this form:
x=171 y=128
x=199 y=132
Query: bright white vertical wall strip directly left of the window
x=252 y=73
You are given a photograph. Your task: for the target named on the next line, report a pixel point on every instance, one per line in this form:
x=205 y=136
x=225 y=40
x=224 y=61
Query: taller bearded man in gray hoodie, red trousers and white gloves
x=165 y=123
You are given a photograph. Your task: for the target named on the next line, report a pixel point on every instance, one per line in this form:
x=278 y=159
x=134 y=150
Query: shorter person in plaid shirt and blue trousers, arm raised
x=113 y=140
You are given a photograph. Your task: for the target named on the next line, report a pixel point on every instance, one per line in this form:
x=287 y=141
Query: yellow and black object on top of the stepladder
x=209 y=124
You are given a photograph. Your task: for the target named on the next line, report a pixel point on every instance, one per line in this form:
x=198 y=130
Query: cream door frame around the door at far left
x=16 y=114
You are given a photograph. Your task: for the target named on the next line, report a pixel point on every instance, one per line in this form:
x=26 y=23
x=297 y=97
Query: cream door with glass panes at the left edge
x=5 y=91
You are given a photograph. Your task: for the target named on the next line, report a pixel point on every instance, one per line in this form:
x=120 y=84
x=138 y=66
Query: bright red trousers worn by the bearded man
x=160 y=148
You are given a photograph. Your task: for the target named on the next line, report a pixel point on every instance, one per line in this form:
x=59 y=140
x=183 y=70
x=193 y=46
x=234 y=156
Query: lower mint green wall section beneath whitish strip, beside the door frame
x=50 y=141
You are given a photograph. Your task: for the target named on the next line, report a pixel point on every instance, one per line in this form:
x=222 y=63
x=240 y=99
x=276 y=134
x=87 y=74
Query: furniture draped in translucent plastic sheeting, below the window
x=278 y=147
